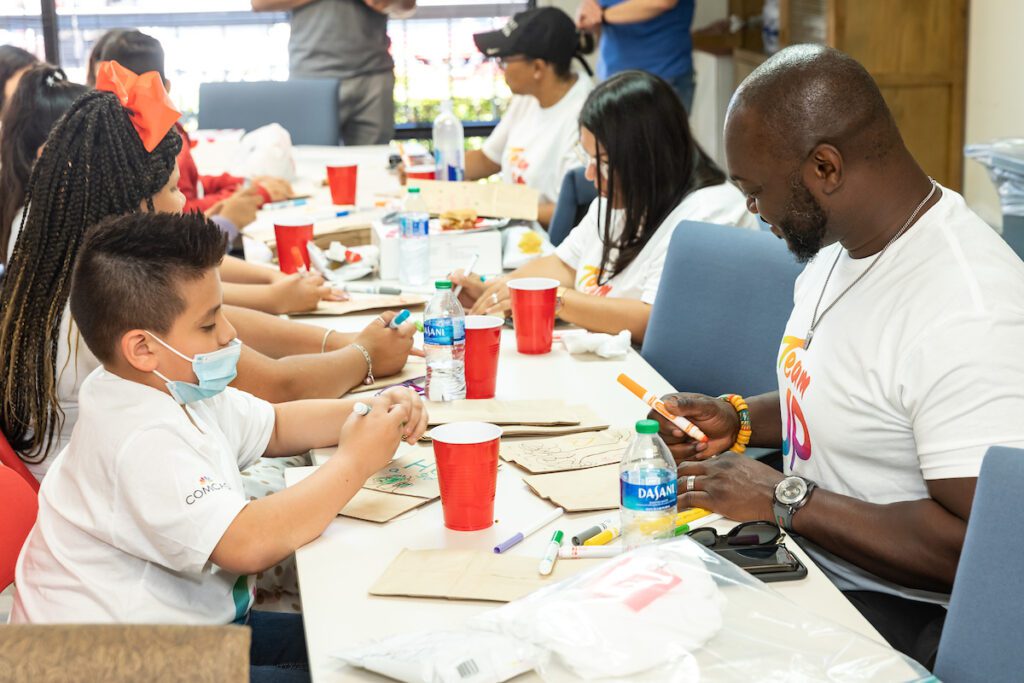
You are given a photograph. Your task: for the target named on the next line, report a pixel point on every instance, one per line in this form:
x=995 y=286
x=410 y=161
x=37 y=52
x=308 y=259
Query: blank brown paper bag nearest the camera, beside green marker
x=468 y=575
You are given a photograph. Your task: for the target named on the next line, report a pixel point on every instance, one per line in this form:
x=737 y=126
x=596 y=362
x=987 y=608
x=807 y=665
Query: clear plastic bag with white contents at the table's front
x=676 y=613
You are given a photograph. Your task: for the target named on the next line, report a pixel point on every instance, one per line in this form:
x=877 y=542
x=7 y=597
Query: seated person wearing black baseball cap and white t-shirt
x=535 y=142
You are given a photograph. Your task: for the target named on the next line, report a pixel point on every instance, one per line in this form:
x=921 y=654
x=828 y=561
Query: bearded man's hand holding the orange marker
x=716 y=418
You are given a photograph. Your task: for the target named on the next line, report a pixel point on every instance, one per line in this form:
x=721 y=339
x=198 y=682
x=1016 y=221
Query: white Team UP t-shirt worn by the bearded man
x=913 y=376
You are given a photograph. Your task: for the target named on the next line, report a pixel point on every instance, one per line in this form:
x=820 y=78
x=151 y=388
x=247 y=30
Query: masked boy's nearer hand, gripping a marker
x=373 y=439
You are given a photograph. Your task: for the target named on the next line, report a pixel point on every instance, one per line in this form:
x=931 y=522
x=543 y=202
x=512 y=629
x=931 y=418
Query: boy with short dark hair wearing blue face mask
x=143 y=518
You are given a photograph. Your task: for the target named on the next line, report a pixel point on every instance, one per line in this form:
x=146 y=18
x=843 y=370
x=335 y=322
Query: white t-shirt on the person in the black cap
x=536 y=146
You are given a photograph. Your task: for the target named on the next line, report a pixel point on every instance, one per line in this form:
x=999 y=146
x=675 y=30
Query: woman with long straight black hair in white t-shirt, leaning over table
x=650 y=175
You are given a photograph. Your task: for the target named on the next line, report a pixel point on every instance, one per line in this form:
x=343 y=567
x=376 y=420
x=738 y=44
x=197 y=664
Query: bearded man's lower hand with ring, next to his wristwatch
x=731 y=485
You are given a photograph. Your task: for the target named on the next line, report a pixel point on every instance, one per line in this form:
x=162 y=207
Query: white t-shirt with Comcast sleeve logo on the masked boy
x=133 y=509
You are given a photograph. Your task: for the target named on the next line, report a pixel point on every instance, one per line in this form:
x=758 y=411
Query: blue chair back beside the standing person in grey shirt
x=308 y=109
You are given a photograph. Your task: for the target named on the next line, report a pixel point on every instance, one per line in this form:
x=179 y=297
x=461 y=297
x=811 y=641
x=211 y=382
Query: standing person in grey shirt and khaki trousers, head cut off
x=348 y=40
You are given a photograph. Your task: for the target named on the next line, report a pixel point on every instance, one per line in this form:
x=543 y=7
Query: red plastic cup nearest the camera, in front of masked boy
x=467 y=473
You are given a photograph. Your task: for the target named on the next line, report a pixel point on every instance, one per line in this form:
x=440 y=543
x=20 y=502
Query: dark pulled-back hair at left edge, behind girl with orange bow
x=42 y=97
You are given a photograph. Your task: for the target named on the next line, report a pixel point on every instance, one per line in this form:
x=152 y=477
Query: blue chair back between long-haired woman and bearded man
x=721 y=310
